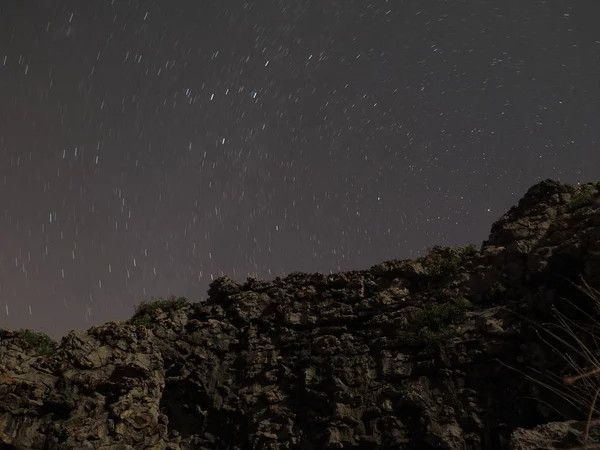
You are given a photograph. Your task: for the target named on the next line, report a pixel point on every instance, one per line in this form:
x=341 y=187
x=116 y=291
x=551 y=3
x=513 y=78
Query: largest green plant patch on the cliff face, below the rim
x=433 y=320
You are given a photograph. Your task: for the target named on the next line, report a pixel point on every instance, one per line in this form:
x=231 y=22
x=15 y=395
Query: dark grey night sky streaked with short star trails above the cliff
x=148 y=147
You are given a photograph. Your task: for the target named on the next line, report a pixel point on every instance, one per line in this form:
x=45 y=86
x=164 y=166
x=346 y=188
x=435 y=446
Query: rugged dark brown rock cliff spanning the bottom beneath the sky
x=434 y=353
